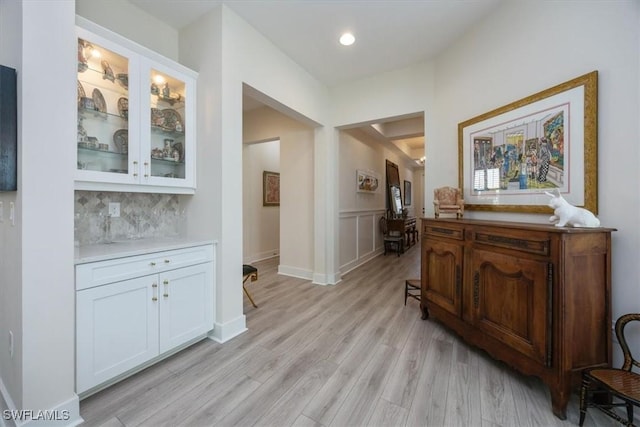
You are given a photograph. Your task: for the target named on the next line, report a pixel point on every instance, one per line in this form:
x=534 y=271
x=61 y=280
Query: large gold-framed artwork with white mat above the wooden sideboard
x=509 y=157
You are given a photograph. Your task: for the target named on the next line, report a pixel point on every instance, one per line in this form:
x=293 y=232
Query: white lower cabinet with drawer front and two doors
x=124 y=324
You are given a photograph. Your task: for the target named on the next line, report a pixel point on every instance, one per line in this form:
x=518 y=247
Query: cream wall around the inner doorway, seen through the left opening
x=296 y=185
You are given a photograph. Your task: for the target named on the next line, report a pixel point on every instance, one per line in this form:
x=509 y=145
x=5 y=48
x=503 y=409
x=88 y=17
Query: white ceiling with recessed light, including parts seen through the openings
x=390 y=34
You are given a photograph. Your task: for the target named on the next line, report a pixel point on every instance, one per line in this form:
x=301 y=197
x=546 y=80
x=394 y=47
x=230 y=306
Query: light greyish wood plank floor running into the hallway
x=346 y=355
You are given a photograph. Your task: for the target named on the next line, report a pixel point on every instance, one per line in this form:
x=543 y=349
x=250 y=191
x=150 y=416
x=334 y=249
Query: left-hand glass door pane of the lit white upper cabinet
x=103 y=110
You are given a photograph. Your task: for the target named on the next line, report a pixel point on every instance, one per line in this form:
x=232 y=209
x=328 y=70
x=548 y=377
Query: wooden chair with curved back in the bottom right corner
x=607 y=388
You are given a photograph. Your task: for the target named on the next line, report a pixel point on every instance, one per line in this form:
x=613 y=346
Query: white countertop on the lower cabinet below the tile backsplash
x=125 y=248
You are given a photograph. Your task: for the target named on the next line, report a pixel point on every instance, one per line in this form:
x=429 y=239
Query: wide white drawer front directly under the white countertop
x=102 y=272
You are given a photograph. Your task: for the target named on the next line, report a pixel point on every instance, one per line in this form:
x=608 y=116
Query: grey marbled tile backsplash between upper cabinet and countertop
x=142 y=215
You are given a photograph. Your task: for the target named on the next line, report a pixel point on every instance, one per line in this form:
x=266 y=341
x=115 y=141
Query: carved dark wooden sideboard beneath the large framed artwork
x=537 y=297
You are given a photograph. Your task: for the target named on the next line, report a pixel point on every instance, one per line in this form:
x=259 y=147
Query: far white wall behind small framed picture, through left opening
x=261 y=224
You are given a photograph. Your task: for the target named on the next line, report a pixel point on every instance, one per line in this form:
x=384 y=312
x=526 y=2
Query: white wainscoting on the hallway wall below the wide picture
x=360 y=237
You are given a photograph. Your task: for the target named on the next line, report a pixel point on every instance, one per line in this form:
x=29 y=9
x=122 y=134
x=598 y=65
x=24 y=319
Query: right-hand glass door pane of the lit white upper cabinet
x=167 y=150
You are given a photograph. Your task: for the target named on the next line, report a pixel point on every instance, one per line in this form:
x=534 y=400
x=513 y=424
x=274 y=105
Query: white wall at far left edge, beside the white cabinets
x=37 y=280
